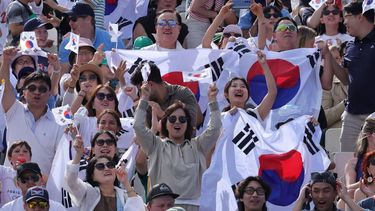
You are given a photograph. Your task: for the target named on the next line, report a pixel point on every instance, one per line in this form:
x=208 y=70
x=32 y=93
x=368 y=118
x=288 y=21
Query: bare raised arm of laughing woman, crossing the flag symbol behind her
x=266 y=105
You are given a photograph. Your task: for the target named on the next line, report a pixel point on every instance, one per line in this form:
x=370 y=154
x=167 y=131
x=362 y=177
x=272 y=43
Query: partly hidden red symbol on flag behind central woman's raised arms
x=177 y=78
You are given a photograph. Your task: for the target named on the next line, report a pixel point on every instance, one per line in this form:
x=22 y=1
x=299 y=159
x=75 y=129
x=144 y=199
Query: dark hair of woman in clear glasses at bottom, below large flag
x=240 y=191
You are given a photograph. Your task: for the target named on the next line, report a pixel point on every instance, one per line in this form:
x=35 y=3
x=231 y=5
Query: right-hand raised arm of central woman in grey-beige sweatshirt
x=208 y=138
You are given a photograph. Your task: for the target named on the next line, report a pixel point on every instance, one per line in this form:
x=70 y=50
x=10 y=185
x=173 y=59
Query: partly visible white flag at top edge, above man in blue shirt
x=124 y=13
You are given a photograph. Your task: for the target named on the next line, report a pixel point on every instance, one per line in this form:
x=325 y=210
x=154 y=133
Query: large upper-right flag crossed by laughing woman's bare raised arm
x=296 y=73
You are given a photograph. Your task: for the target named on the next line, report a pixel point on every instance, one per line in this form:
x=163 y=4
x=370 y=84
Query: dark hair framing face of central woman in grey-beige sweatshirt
x=189 y=129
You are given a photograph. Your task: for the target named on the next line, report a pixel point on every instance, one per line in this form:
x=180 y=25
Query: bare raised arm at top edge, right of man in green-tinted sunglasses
x=219 y=19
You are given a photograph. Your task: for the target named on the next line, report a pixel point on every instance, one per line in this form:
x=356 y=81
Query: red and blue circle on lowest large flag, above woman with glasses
x=285 y=174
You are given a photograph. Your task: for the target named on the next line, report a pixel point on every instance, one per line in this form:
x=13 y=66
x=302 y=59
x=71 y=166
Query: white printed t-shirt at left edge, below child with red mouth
x=9 y=189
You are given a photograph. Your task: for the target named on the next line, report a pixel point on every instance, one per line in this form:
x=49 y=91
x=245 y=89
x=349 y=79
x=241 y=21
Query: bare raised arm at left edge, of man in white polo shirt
x=8 y=96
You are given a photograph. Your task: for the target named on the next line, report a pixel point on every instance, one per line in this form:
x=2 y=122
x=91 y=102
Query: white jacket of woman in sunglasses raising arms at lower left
x=87 y=197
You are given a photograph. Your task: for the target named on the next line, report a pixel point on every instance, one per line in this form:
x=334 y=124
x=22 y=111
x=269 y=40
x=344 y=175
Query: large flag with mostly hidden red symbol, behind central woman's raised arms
x=173 y=68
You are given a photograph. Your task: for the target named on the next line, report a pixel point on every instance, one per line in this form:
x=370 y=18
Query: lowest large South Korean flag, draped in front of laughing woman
x=284 y=159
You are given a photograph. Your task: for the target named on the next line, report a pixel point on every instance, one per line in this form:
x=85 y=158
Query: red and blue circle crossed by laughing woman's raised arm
x=287 y=77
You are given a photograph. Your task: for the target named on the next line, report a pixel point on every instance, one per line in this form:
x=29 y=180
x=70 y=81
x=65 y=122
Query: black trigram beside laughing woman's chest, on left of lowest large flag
x=246 y=139
